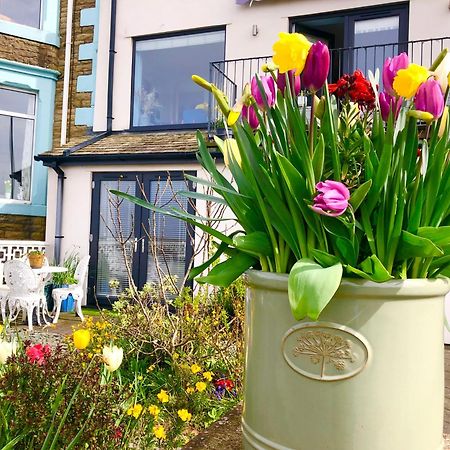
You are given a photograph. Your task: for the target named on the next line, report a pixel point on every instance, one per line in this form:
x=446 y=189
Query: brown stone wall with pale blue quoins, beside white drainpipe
x=80 y=35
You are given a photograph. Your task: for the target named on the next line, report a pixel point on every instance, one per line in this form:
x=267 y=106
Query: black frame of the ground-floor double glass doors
x=141 y=216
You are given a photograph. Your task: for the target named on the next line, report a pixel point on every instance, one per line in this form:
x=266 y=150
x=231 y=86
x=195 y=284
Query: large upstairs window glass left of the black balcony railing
x=164 y=95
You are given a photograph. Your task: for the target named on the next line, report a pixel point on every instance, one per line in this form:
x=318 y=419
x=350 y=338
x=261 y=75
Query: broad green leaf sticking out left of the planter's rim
x=226 y=272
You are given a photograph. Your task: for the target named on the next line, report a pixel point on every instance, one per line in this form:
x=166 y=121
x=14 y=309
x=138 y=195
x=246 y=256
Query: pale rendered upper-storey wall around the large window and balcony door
x=428 y=18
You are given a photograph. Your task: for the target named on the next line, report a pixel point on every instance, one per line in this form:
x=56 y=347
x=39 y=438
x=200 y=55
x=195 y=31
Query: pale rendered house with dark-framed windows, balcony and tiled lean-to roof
x=127 y=113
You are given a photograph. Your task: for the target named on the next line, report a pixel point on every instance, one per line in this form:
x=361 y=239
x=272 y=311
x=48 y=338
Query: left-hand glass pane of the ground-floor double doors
x=111 y=261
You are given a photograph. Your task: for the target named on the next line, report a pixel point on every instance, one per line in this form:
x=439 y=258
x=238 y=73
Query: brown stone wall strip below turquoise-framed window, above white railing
x=26 y=228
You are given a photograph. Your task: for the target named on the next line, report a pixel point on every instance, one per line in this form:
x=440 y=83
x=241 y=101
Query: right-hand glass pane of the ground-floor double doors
x=167 y=235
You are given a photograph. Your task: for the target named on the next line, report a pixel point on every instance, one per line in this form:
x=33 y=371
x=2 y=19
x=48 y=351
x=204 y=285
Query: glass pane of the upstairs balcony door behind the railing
x=375 y=32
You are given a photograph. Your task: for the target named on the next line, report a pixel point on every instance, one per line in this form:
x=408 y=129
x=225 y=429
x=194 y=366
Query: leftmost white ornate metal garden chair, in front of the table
x=24 y=291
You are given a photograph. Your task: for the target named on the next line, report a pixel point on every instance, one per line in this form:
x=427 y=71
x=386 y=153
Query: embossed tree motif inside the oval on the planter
x=324 y=348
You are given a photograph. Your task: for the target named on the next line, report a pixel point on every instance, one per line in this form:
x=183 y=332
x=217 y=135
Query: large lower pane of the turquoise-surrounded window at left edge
x=16 y=157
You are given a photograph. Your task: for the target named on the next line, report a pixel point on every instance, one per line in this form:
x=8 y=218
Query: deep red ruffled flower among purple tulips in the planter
x=356 y=88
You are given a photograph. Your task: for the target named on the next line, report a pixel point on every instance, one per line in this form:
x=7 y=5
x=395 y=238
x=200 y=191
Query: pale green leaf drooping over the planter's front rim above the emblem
x=311 y=287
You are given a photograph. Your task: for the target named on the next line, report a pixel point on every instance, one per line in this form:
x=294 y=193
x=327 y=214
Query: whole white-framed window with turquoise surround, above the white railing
x=17 y=117
